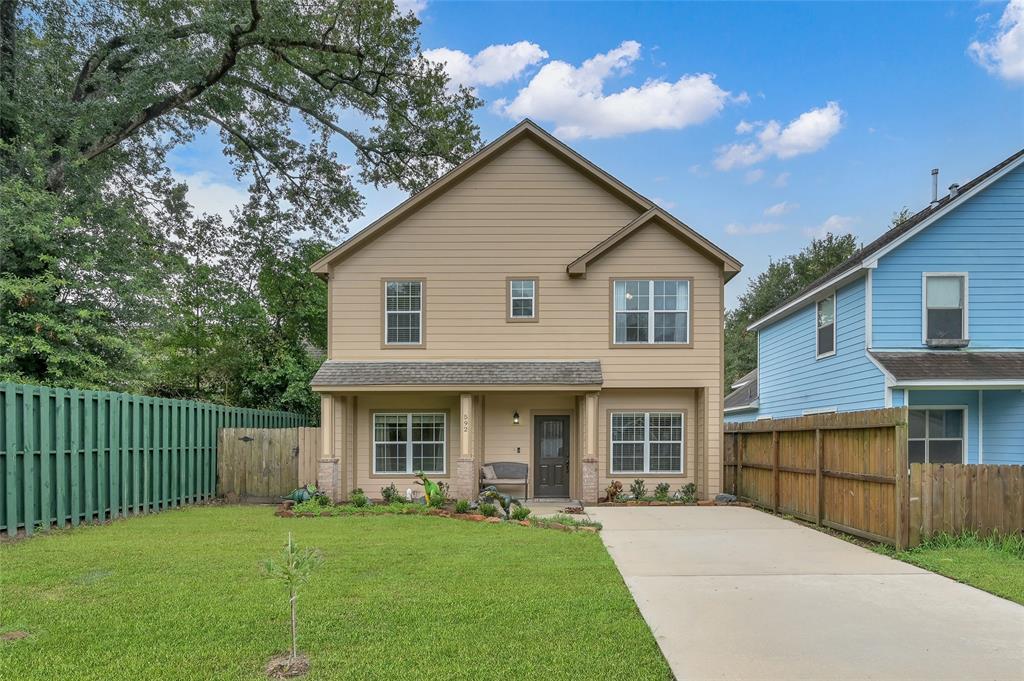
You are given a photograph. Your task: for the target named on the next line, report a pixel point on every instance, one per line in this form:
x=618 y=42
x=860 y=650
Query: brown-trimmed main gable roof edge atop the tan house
x=525 y=130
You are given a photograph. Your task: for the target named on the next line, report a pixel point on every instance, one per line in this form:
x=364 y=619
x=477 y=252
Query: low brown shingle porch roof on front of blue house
x=953 y=365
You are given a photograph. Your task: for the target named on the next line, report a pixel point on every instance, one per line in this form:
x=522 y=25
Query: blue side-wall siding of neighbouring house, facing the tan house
x=792 y=380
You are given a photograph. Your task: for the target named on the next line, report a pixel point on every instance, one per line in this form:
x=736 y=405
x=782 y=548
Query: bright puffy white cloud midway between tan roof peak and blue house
x=808 y=133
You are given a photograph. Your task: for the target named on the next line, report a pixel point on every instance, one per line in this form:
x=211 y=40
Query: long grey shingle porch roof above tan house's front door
x=459 y=373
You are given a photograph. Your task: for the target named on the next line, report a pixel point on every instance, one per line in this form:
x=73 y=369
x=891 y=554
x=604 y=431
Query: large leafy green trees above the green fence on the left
x=109 y=278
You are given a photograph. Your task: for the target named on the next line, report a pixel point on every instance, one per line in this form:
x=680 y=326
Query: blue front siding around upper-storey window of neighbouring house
x=984 y=237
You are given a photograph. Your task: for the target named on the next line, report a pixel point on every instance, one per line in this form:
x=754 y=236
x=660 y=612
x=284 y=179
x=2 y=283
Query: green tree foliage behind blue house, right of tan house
x=770 y=289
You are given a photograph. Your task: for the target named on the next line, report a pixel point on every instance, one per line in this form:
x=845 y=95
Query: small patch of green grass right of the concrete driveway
x=995 y=565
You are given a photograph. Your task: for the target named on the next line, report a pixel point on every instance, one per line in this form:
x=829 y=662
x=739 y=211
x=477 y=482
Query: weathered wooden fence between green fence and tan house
x=265 y=464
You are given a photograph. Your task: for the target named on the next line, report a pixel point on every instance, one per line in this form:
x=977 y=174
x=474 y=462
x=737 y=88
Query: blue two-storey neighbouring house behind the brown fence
x=929 y=316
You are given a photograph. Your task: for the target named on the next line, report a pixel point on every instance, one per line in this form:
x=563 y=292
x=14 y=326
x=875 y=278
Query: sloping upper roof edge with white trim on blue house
x=869 y=256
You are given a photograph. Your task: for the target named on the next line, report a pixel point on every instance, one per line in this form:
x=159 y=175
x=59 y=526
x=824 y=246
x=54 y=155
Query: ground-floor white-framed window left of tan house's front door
x=409 y=444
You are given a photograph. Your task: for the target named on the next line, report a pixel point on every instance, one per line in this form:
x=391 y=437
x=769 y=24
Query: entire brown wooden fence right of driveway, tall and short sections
x=850 y=473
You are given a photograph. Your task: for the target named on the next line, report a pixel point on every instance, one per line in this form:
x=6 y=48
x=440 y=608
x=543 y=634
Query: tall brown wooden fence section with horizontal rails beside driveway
x=837 y=471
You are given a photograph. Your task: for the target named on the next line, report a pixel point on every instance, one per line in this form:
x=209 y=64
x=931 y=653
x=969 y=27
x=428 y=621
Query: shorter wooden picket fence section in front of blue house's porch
x=958 y=498
